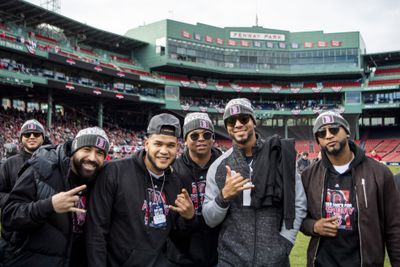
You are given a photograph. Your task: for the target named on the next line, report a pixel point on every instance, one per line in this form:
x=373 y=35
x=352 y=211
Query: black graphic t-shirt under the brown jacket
x=340 y=201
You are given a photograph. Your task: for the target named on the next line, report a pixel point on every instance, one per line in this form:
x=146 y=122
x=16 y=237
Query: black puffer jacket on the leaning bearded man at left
x=47 y=235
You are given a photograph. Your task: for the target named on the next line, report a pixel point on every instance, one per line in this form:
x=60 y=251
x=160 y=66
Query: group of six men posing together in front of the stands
x=64 y=205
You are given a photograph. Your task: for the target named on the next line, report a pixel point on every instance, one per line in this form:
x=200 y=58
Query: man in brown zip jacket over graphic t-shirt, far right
x=352 y=202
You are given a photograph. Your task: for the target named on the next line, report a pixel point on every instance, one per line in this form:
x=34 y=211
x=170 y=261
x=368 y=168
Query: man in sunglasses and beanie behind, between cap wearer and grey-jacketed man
x=199 y=248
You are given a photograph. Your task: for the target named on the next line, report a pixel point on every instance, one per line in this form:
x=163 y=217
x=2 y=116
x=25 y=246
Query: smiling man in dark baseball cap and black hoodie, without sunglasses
x=130 y=220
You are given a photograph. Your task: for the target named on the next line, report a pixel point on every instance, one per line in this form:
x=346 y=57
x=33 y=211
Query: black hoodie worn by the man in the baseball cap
x=120 y=230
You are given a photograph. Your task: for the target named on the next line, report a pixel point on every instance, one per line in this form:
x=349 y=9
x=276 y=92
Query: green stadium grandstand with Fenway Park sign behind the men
x=169 y=65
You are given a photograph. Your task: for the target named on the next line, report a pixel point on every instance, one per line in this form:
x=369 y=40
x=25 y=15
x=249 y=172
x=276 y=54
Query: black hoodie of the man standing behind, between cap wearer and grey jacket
x=198 y=248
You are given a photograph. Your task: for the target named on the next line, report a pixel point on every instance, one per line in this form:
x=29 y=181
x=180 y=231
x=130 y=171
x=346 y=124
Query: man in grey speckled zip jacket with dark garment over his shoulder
x=253 y=191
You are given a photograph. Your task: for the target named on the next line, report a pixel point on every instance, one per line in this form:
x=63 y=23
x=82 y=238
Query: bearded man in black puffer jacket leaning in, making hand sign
x=46 y=207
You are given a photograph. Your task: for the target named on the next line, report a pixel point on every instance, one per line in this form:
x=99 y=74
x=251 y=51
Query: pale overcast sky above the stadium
x=377 y=20
